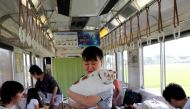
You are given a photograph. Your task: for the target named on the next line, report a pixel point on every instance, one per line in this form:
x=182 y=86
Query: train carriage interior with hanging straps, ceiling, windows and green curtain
x=146 y=41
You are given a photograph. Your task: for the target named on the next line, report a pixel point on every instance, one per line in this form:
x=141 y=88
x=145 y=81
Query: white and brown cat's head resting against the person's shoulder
x=107 y=76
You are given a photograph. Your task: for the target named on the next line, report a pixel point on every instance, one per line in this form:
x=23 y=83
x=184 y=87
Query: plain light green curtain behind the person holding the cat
x=66 y=71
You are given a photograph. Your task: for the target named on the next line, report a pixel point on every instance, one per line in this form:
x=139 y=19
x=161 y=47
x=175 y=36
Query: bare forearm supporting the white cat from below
x=87 y=101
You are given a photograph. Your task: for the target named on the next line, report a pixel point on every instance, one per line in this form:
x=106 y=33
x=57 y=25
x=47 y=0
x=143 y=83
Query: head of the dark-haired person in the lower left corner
x=11 y=93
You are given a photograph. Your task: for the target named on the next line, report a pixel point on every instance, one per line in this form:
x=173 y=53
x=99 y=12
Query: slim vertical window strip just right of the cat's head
x=125 y=61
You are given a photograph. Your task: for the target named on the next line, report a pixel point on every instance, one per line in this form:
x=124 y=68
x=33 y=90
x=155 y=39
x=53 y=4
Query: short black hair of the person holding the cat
x=92 y=53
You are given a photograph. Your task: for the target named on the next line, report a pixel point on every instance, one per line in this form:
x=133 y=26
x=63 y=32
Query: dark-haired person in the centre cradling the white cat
x=92 y=60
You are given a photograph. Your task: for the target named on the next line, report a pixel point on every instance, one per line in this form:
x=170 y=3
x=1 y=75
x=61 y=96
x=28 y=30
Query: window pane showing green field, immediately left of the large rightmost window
x=151 y=62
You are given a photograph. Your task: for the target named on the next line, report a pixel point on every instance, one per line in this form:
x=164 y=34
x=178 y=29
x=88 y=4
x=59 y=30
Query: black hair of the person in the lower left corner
x=9 y=90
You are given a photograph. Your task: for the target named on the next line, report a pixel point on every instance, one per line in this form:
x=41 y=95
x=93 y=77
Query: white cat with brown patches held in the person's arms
x=94 y=83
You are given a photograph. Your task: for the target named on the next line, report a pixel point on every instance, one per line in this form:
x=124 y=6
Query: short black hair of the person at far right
x=174 y=91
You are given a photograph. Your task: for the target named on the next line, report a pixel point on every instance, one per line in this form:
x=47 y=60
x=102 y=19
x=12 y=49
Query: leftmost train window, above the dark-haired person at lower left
x=5 y=66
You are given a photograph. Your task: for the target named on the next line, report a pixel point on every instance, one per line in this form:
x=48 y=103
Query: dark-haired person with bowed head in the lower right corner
x=175 y=95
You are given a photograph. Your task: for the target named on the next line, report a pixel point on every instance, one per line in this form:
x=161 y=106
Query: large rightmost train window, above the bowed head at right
x=178 y=62
